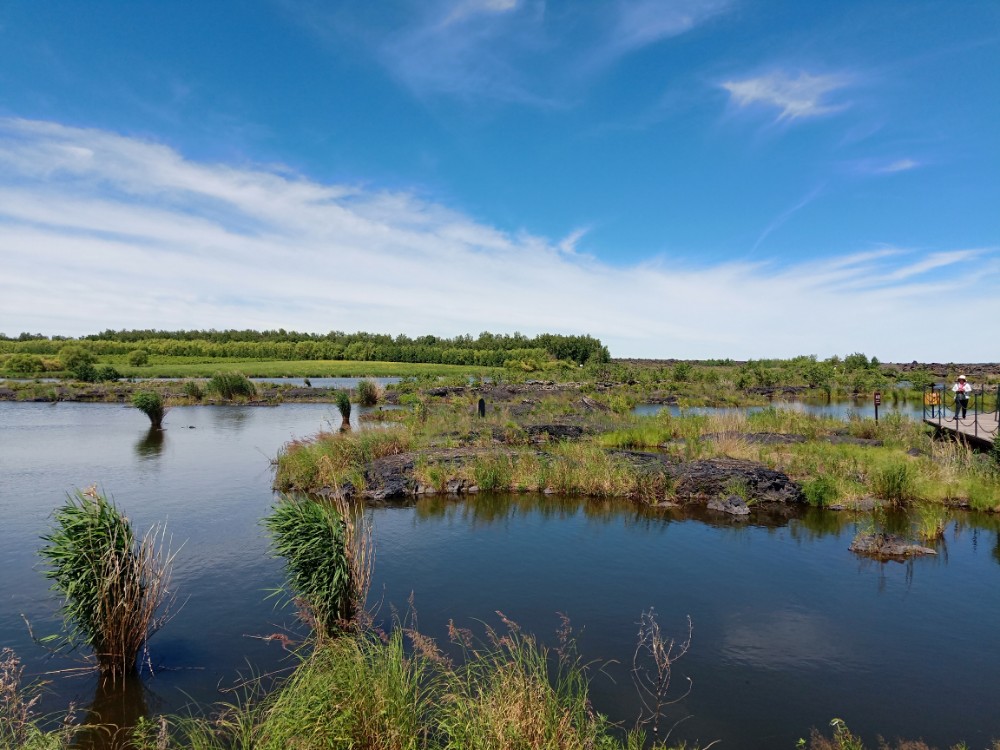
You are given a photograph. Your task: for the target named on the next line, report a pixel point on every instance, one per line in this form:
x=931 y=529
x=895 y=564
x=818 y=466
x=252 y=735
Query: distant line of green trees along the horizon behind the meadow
x=488 y=349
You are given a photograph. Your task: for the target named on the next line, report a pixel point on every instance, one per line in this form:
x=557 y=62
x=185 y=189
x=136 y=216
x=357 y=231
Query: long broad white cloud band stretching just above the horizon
x=103 y=231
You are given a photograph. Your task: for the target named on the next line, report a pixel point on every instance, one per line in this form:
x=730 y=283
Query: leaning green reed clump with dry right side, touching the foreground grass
x=328 y=556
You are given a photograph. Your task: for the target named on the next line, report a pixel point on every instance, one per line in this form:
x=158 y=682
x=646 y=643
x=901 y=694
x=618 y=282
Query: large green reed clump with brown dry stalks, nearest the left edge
x=113 y=585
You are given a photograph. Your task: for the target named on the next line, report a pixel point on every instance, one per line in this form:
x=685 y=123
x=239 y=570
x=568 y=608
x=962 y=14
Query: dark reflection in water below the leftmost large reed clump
x=117 y=707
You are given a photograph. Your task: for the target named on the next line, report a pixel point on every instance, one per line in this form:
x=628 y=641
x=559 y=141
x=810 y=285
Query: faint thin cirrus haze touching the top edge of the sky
x=514 y=51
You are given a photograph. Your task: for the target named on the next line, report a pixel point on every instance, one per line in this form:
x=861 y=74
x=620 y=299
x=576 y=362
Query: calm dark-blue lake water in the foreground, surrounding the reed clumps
x=790 y=629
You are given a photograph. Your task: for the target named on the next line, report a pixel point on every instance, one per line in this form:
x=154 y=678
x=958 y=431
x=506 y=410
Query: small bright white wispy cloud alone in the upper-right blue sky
x=804 y=95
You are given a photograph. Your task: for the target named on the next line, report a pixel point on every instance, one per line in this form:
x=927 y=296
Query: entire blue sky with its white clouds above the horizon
x=683 y=178
